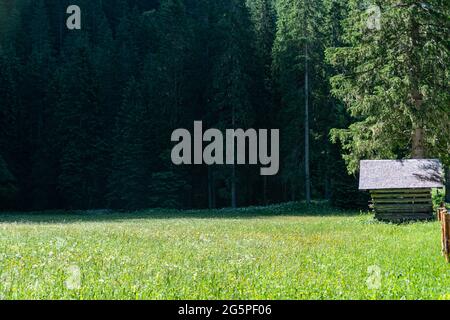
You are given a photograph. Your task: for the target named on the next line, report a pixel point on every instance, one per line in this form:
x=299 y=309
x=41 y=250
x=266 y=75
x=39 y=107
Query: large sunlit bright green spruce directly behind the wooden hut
x=393 y=78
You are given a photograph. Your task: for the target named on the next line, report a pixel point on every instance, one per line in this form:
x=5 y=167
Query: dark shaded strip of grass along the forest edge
x=293 y=209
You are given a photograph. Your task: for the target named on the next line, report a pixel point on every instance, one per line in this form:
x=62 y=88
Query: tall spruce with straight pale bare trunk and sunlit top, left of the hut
x=297 y=50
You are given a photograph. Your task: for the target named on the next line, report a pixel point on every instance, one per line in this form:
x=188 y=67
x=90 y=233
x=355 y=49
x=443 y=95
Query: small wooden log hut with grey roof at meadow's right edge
x=401 y=189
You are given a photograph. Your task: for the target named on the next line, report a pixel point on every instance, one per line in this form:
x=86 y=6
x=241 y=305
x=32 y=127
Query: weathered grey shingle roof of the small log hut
x=400 y=174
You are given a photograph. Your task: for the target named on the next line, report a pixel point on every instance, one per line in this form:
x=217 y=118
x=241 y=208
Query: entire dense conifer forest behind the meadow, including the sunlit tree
x=86 y=115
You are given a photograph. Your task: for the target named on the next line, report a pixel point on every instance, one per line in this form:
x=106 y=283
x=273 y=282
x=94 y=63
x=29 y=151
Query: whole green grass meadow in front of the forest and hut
x=281 y=252
